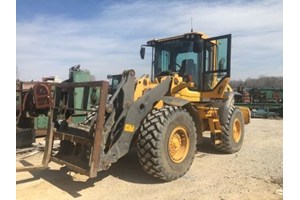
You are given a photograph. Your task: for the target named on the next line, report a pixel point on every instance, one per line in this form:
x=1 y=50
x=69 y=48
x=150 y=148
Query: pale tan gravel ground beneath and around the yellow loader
x=255 y=172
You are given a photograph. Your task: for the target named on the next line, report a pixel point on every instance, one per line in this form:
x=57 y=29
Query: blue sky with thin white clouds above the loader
x=105 y=36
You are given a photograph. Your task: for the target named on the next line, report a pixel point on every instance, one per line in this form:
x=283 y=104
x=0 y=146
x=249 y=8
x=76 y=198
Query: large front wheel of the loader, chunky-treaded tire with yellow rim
x=156 y=150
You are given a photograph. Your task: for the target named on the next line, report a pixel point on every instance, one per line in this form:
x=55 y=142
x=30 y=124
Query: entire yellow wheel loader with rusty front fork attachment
x=163 y=115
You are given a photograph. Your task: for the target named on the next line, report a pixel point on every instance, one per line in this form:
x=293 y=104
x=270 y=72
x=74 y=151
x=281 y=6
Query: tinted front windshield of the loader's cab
x=177 y=56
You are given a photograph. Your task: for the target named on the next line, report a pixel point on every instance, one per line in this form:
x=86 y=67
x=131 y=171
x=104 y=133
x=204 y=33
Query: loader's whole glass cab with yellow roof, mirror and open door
x=194 y=56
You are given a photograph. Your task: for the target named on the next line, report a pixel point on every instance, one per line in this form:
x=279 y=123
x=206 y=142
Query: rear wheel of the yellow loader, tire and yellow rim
x=232 y=135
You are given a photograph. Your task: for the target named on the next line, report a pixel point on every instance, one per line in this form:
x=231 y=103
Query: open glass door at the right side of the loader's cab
x=216 y=61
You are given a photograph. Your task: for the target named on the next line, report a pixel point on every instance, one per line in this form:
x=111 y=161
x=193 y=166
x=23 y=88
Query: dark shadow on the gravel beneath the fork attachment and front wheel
x=127 y=168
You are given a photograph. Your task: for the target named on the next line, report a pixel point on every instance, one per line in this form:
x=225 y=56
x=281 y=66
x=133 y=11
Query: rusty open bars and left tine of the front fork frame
x=95 y=141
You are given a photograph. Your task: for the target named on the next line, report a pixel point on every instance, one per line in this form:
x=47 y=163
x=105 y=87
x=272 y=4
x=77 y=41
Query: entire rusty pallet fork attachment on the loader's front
x=80 y=145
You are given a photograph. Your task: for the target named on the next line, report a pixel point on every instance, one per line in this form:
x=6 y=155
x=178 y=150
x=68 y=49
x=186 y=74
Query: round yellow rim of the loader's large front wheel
x=178 y=144
